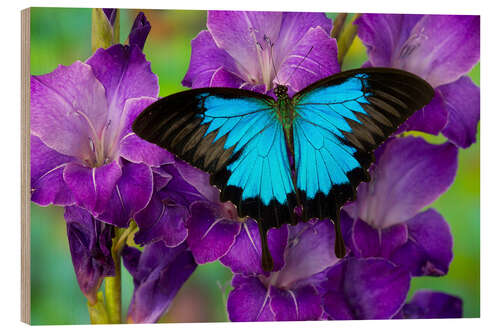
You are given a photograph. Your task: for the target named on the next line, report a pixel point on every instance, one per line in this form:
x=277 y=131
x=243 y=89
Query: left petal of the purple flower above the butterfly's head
x=206 y=59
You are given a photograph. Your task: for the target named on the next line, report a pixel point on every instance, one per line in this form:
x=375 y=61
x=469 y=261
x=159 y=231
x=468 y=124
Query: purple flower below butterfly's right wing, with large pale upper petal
x=386 y=219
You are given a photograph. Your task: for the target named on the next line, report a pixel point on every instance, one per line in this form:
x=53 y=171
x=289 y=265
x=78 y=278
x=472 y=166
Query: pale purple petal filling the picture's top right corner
x=441 y=48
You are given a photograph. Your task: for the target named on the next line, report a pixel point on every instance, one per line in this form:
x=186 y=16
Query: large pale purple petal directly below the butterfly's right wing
x=409 y=172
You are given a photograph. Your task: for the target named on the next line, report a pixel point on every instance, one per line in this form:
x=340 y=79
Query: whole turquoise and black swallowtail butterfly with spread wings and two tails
x=284 y=159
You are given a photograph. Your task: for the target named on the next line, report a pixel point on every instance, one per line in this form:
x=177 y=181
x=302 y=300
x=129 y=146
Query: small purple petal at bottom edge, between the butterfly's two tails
x=302 y=303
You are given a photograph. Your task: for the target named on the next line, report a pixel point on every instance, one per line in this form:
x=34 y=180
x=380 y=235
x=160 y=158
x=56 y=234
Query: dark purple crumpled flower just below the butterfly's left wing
x=186 y=207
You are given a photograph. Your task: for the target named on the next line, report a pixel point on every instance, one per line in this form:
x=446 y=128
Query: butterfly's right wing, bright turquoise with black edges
x=339 y=121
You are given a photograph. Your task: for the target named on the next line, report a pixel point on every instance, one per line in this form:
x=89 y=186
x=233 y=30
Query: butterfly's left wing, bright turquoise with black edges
x=235 y=136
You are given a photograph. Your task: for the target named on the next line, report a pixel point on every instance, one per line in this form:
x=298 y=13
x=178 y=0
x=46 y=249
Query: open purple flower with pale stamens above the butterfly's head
x=257 y=50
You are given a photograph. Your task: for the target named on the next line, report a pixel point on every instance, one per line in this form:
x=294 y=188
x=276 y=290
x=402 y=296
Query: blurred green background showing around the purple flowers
x=62 y=36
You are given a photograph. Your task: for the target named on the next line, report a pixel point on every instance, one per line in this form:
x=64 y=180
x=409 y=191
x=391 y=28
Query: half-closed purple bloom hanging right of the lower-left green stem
x=159 y=272
